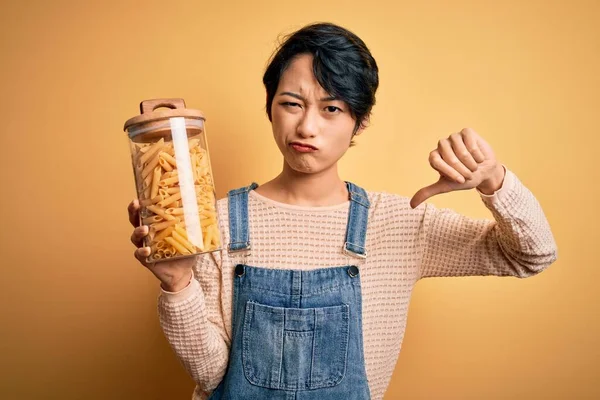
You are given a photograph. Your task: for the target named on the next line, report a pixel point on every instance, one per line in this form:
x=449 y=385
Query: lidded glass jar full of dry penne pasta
x=173 y=179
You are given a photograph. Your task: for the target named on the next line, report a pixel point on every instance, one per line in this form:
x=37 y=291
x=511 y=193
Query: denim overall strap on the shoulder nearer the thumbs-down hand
x=356 y=230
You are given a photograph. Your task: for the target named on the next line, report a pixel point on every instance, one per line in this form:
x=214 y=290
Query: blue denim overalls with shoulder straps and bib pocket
x=297 y=335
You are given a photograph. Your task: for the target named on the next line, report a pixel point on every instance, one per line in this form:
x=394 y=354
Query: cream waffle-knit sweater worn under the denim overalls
x=404 y=245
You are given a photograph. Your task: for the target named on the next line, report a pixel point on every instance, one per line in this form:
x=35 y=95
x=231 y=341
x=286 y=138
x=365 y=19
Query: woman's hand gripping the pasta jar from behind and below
x=173 y=275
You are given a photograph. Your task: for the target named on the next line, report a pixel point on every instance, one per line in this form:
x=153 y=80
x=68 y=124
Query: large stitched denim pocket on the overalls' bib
x=295 y=348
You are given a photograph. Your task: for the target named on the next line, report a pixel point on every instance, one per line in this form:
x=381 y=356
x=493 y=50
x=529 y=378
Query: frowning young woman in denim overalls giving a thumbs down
x=309 y=299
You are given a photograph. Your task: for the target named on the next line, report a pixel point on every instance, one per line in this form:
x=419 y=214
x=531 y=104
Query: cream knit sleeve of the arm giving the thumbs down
x=517 y=242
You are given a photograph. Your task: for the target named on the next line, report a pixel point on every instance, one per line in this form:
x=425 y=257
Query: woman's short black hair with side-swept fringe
x=342 y=64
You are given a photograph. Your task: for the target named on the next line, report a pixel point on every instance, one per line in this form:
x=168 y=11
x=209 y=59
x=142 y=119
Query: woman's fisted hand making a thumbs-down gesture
x=464 y=161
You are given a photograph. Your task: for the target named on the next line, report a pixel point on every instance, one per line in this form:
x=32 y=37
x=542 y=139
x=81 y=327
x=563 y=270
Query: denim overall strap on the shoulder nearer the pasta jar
x=238 y=218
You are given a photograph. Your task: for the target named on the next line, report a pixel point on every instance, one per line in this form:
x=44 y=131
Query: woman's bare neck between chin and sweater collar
x=314 y=190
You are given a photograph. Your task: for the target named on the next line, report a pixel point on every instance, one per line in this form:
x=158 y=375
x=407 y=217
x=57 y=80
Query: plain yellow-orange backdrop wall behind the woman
x=79 y=314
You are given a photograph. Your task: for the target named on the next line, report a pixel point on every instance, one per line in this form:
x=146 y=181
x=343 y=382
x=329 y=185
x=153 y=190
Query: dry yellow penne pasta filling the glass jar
x=157 y=177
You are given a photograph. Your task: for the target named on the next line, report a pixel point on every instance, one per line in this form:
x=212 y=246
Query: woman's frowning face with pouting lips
x=312 y=130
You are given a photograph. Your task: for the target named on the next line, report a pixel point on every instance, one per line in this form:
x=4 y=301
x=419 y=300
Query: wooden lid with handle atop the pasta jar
x=149 y=118
